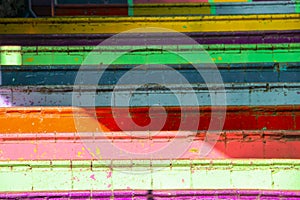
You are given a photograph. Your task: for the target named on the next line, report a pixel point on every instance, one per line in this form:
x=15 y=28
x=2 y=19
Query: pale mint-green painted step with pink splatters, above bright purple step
x=145 y=174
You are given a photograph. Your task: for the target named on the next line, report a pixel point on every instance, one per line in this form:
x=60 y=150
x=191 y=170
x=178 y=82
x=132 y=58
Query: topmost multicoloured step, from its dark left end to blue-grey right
x=158 y=8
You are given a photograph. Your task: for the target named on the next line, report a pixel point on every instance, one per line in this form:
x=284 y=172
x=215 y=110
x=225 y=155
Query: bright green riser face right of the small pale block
x=165 y=58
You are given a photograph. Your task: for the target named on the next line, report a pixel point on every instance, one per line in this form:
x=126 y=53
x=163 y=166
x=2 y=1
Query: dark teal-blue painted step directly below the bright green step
x=230 y=73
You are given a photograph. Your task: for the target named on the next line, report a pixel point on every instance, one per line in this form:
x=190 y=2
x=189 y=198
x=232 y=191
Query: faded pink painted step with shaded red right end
x=69 y=146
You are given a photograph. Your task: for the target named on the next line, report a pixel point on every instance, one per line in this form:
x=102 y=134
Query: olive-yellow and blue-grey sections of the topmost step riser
x=224 y=8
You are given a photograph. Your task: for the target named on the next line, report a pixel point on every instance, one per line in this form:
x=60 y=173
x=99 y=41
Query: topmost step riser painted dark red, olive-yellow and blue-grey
x=177 y=9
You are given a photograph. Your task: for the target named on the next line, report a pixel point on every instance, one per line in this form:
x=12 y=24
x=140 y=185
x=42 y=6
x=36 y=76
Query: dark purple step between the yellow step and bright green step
x=202 y=38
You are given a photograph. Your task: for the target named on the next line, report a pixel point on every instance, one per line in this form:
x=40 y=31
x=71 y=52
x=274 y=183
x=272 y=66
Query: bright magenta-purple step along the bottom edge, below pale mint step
x=129 y=194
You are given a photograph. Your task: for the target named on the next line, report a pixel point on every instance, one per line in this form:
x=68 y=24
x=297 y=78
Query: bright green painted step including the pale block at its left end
x=183 y=54
